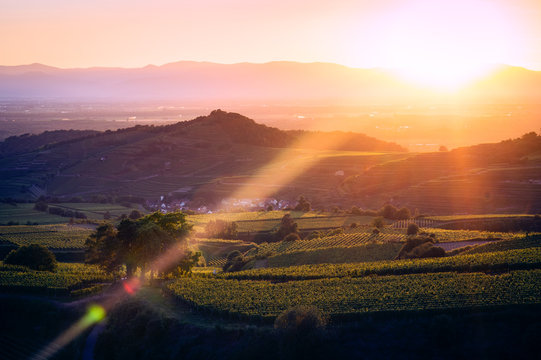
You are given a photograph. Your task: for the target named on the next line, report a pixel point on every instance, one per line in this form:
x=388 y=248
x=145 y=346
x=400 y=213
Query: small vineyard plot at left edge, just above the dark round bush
x=58 y=236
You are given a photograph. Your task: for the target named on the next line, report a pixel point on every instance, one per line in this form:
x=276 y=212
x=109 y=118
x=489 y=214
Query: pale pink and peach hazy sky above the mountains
x=377 y=33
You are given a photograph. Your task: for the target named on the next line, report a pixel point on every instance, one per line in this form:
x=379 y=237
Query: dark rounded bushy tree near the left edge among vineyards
x=34 y=256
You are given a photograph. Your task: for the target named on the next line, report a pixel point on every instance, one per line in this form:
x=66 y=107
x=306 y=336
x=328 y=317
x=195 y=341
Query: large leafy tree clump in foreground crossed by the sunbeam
x=140 y=243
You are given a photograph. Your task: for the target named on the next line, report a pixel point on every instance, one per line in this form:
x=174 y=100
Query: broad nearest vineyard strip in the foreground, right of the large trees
x=350 y=297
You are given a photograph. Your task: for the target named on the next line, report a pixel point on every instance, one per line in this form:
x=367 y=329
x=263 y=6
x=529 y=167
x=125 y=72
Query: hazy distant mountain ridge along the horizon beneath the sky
x=273 y=81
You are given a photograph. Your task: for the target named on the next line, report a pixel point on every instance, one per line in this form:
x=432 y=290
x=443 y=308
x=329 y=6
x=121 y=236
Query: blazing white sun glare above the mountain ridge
x=443 y=45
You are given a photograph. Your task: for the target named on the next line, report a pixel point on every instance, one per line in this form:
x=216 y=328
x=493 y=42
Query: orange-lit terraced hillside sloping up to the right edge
x=500 y=177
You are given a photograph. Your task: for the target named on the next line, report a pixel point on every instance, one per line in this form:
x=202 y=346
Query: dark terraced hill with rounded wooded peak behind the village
x=180 y=159
